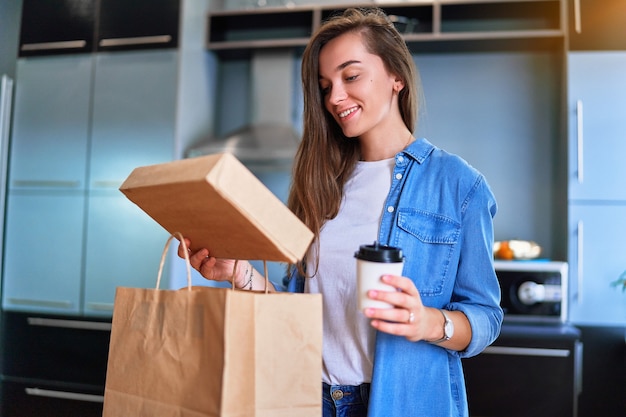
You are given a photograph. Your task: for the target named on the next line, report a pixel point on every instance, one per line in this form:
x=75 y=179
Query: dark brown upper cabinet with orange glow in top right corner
x=597 y=25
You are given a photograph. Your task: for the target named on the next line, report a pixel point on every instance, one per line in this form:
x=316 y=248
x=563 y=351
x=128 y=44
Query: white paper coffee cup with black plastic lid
x=372 y=262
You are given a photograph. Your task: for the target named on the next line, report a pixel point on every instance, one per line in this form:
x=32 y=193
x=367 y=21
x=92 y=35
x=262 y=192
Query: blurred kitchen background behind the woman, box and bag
x=530 y=92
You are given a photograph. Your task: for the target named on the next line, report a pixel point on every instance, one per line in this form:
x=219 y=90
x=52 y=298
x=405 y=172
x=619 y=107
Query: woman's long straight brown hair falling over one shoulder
x=326 y=158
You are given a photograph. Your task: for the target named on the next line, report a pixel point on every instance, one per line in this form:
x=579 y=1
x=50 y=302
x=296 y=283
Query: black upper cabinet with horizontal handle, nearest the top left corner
x=57 y=26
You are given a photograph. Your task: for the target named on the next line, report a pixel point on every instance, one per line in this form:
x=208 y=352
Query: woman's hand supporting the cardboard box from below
x=212 y=268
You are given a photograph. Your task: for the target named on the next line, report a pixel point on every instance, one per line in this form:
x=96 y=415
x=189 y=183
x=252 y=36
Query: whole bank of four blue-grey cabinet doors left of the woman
x=68 y=160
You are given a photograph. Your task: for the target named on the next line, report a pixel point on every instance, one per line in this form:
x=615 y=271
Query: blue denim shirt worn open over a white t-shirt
x=439 y=211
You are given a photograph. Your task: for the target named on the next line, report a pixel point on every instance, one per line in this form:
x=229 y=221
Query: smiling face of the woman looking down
x=357 y=89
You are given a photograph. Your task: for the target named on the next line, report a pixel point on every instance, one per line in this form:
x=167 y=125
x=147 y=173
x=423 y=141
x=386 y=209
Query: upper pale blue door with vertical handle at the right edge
x=597 y=125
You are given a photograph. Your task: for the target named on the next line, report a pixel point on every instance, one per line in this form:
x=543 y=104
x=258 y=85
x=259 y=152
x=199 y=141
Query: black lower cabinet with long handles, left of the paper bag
x=52 y=365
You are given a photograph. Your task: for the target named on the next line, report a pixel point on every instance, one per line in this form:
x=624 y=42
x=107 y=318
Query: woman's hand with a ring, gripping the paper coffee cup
x=408 y=317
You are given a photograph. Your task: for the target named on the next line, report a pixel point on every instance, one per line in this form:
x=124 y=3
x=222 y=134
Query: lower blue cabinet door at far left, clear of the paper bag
x=43 y=258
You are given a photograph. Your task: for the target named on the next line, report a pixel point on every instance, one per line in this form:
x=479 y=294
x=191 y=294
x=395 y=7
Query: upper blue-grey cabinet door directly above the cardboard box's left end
x=134 y=114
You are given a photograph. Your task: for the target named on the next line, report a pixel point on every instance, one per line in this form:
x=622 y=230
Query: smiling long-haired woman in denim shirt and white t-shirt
x=360 y=176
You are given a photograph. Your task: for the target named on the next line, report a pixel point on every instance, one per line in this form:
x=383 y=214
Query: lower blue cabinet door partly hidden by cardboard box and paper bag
x=124 y=248
